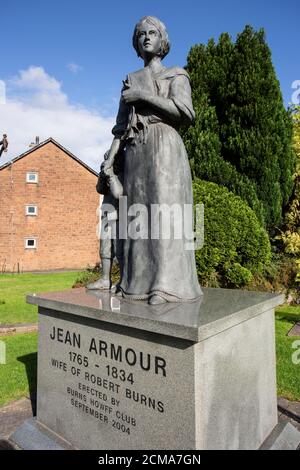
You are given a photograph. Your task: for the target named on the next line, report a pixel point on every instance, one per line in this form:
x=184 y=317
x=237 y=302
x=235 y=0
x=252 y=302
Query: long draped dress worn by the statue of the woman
x=156 y=172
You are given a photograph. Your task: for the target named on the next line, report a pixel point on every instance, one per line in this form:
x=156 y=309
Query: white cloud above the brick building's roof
x=37 y=106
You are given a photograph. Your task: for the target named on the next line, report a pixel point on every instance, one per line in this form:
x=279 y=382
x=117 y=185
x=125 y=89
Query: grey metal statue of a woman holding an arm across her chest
x=155 y=101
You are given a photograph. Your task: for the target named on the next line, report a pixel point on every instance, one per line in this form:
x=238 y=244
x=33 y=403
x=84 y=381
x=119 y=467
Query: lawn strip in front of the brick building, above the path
x=15 y=287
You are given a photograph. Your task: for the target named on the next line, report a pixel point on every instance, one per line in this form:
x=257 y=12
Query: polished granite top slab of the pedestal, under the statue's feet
x=215 y=311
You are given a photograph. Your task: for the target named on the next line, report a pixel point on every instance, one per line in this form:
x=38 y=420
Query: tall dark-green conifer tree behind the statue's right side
x=242 y=137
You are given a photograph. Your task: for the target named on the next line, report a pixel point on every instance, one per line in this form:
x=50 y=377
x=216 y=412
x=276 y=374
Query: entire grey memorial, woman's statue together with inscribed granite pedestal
x=160 y=364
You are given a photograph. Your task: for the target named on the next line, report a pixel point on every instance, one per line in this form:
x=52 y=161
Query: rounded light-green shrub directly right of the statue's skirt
x=235 y=244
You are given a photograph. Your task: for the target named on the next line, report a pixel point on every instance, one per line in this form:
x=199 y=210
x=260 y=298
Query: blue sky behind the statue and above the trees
x=83 y=50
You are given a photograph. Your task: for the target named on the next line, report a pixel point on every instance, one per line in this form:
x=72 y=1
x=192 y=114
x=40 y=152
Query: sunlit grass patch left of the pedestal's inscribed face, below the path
x=18 y=375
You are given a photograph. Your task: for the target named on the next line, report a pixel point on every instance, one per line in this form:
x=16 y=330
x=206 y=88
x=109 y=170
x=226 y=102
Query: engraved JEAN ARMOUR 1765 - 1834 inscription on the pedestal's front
x=106 y=378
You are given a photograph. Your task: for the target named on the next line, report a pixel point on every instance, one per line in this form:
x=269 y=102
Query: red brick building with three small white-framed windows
x=48 y=211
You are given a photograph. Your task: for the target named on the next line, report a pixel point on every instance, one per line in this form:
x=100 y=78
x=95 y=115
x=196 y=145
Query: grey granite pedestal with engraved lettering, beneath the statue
x=114 y=374
